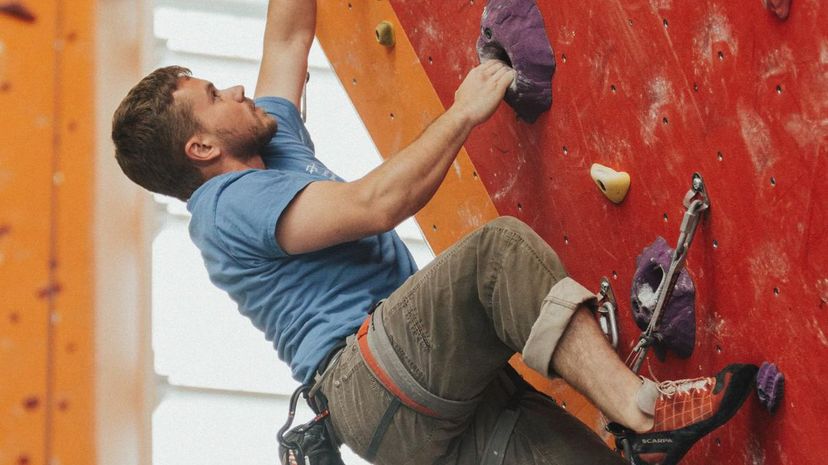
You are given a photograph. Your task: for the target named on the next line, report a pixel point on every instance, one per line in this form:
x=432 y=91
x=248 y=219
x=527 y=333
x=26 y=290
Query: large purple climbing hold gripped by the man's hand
x=513 y=31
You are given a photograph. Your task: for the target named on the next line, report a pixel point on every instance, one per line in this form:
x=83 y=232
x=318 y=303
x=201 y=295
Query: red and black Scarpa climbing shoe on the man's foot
x=685 y=411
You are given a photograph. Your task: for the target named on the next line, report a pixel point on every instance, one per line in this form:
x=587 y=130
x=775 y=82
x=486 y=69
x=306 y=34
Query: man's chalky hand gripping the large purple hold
x=481 y=92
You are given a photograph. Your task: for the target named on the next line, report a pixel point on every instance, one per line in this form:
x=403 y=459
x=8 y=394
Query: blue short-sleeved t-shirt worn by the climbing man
x=304 y=303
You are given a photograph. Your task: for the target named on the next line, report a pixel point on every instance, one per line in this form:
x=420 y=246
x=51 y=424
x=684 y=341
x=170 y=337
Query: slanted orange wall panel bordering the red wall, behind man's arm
x=396 y=101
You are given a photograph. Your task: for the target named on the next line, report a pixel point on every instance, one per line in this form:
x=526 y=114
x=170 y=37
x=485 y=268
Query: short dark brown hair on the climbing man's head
x=150 y=131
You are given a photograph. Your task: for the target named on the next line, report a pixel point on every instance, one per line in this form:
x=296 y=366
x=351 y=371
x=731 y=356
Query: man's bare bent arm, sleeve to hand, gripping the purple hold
x=329 y=213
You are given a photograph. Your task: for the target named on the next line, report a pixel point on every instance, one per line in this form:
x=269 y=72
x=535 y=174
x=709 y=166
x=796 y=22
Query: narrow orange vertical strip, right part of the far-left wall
x=72 y=343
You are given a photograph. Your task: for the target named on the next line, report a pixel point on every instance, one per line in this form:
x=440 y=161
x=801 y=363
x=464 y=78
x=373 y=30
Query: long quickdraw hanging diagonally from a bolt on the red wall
x=696 y=201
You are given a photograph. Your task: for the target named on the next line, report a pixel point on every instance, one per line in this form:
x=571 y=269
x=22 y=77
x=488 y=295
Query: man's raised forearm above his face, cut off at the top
x=289 y=32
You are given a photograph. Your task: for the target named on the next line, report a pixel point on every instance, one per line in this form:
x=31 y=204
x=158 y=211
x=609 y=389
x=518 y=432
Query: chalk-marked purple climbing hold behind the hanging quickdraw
x=677 y=330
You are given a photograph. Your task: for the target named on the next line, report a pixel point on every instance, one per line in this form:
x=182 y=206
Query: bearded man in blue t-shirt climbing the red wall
x=422 y=378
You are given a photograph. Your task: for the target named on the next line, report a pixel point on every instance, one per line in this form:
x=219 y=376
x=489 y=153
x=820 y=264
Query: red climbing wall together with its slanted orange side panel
x=659 y=89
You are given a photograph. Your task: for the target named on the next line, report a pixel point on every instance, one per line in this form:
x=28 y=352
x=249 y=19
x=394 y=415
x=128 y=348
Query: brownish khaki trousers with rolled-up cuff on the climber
x=454 y=325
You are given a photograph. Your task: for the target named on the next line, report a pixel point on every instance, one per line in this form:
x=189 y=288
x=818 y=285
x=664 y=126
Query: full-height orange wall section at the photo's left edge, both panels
x=46 y=150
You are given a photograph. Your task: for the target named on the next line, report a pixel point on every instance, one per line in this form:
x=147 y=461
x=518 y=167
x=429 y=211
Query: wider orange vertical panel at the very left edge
x=26 y=147
